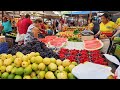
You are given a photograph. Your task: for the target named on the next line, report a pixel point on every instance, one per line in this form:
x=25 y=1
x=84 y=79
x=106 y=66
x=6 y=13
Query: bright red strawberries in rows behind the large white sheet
x=81 y=56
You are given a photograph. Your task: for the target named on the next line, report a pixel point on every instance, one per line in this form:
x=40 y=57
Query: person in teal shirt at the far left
x=7 y=27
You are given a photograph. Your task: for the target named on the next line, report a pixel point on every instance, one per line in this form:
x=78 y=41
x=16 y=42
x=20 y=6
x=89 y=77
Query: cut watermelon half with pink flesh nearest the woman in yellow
x=94 y=44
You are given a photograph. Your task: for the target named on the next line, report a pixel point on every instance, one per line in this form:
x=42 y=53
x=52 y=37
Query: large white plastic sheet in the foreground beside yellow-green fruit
x=90 y=70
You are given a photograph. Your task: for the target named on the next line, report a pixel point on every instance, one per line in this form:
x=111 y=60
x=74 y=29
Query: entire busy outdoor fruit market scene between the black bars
x=59 y=44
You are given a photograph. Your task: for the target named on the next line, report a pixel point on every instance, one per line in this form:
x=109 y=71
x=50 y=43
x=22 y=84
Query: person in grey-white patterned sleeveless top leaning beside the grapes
x=33 y=31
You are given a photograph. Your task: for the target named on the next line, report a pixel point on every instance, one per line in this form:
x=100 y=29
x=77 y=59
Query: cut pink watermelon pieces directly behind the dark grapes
x=54 y=41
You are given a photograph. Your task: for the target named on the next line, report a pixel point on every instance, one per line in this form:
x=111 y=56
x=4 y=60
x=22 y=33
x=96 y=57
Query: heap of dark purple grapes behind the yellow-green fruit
x=35 y=46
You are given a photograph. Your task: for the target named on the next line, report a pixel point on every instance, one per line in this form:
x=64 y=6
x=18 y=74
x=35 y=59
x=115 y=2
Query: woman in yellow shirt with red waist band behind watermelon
x=106 y=31
